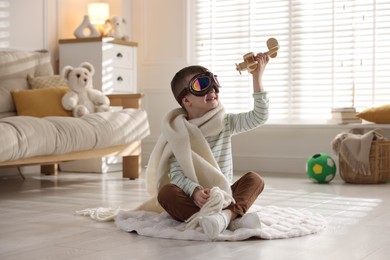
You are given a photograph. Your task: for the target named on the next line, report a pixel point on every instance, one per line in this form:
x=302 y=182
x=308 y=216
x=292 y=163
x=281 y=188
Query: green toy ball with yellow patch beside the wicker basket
x=321 y=168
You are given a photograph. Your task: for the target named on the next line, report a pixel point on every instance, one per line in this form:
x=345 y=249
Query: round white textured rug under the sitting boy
x=276 y=223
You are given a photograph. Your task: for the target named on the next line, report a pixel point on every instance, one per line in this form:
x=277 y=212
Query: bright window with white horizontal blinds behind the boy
x=333 y=53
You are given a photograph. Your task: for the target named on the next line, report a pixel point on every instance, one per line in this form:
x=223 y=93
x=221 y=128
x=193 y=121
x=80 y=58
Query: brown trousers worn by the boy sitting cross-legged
x=181 y=207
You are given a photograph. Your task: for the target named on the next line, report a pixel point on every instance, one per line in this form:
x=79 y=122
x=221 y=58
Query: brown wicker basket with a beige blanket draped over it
x=379 y=164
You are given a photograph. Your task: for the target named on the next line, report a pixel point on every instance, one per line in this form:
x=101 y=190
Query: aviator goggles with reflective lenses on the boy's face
x=202 y=83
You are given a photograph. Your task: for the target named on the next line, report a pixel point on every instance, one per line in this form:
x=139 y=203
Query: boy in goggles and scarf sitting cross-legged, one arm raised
x=193 y=154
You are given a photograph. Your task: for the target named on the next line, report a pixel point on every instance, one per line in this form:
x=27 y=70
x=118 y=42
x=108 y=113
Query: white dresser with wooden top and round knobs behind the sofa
x=115 y=61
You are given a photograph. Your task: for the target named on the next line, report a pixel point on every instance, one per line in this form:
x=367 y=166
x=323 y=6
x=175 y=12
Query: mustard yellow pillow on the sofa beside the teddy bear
x=40 y=102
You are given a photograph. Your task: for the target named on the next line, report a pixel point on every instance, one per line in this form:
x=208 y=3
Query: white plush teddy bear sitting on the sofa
x=82 y=98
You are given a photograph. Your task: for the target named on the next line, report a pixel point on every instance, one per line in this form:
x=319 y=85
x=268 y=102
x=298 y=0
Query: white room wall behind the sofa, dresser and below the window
x=161 y=29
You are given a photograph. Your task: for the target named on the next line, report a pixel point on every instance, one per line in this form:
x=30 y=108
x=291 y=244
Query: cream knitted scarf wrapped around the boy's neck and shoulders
x=186 y=140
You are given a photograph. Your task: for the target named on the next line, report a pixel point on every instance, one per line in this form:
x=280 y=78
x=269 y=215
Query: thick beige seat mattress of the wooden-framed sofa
x=25 y=136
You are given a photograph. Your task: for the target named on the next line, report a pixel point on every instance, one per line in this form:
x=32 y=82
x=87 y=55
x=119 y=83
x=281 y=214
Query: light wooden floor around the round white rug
x=37 y=221
